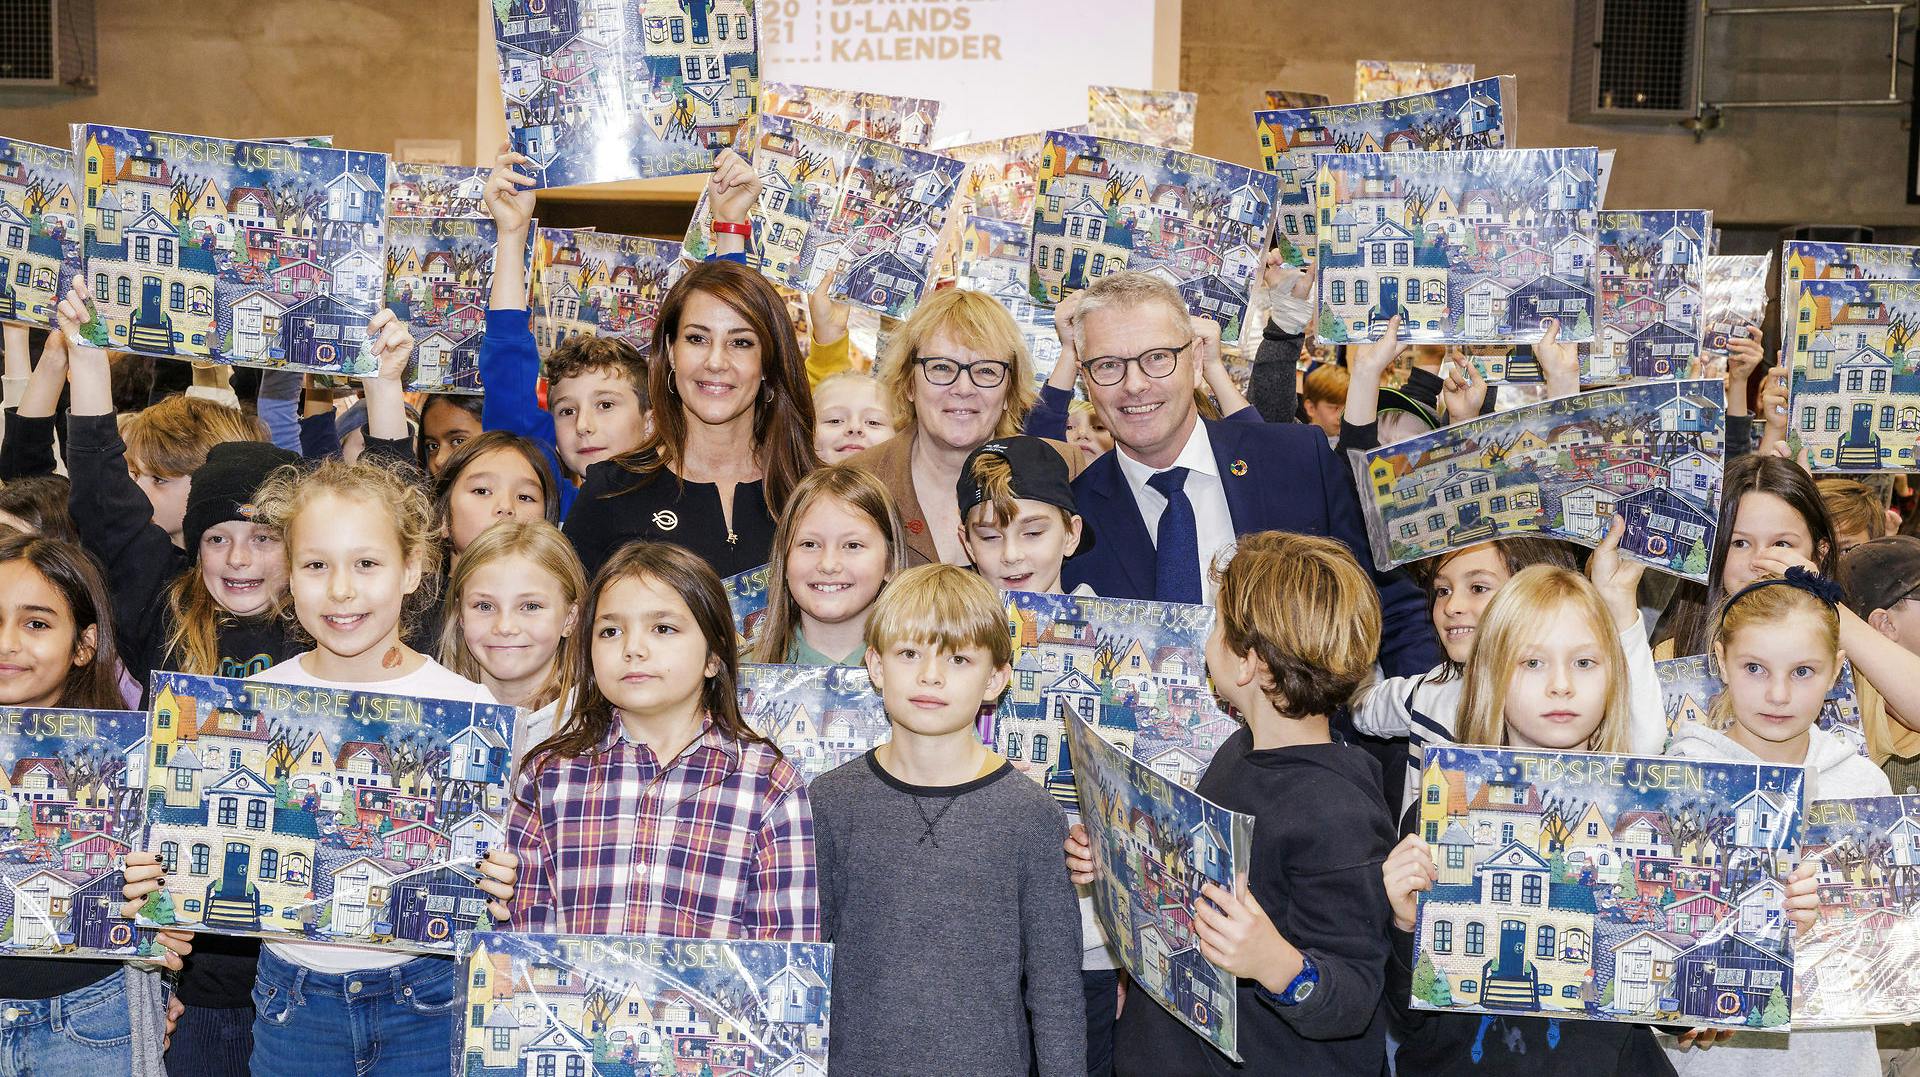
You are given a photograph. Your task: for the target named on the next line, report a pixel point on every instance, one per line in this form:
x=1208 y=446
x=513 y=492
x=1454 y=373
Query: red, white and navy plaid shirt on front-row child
x=715 y=846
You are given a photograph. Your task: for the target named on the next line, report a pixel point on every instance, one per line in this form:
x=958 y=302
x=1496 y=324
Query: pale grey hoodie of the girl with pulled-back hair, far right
x=1835 y=771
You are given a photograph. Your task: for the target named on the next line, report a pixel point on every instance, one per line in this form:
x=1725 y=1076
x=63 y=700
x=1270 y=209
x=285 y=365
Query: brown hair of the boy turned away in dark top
x=1307 y=610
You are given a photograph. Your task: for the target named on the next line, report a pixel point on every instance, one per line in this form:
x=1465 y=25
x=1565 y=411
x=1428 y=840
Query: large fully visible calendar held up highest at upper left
x=254 y=254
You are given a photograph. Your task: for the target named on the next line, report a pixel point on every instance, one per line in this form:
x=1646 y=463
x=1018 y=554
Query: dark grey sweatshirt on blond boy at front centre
x=955 y=928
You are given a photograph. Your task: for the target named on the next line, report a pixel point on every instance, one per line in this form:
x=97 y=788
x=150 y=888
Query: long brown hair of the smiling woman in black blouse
x=782 y=414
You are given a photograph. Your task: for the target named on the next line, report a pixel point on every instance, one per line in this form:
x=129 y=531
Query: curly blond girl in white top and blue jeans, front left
x=362 y=554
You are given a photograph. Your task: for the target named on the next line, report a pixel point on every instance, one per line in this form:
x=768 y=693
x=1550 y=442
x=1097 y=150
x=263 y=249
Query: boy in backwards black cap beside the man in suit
x=1019 y=519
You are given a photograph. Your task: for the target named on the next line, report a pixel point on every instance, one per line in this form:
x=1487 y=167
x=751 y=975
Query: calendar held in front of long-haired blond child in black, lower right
x=1608 y=888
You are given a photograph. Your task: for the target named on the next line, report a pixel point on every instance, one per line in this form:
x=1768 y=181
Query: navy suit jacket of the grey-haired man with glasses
x=1280 y=477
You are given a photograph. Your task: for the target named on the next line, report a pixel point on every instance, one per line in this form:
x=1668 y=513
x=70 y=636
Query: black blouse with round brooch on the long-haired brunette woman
x=619 y=506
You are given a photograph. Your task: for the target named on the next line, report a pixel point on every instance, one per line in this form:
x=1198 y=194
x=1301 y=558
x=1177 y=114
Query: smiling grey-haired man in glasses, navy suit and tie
x=1178 y=491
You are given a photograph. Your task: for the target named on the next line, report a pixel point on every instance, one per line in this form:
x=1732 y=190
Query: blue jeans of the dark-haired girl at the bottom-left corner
x=82 y=1032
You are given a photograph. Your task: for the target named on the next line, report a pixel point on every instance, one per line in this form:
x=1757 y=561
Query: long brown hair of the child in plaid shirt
x=694 y=581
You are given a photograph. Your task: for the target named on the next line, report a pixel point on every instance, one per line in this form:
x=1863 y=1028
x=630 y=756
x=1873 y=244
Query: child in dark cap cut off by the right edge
x=1883 y=579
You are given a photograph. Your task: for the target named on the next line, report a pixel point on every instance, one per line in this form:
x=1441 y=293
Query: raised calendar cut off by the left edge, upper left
x=39 y=231
